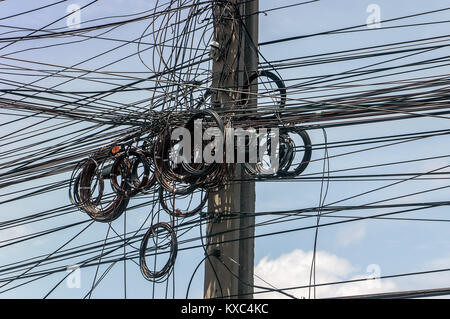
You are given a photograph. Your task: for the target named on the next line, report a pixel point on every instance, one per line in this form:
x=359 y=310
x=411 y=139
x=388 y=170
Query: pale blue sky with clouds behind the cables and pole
x=346 y=250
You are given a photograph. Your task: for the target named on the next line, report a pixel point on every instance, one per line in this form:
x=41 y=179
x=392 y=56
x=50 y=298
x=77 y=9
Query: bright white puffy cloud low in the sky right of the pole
x=293 y=270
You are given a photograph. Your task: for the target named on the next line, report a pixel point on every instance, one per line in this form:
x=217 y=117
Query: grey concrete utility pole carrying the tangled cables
x=237 y=36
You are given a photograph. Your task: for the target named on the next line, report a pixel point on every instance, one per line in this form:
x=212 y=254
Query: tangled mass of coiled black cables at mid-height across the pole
x=158 y=166
